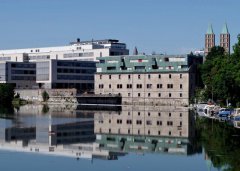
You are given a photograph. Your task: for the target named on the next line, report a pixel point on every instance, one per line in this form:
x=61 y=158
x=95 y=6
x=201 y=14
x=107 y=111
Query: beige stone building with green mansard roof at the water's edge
x=148 y=79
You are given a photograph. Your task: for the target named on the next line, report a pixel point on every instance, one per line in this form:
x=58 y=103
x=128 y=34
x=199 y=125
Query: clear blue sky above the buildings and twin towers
x=163 y=26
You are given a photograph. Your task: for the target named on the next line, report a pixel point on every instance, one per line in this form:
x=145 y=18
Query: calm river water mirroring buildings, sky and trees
x=35 y=137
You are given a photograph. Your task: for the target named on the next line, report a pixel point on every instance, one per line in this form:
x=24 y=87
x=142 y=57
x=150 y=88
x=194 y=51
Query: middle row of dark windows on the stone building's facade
x=139 y=86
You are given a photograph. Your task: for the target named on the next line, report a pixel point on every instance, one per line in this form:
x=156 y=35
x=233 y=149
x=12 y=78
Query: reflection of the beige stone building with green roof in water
x=146 y=130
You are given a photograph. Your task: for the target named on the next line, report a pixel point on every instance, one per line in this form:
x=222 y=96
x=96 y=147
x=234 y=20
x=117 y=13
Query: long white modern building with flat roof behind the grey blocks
x=85 y=51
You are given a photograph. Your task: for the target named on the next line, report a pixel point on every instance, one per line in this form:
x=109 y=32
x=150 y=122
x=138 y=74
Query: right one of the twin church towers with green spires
x=225 y=39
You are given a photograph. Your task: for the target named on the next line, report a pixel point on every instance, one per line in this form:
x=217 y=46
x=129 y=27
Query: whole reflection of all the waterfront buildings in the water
x=105 y=134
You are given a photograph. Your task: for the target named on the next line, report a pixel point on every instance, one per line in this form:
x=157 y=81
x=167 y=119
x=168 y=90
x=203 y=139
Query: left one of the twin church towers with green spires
x=209 y=40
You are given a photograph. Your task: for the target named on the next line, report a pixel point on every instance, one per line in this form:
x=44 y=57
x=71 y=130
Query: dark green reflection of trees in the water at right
x=221 y=143
